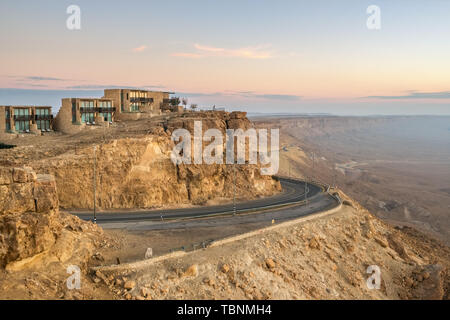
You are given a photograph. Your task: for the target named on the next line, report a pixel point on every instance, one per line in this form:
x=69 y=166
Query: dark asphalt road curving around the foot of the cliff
x=246 y=212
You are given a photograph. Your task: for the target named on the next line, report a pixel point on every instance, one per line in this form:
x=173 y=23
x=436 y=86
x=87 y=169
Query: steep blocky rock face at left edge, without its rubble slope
x=28 y=204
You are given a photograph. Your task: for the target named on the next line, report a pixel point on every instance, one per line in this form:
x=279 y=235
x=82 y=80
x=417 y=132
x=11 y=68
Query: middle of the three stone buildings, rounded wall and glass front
x=77 y=113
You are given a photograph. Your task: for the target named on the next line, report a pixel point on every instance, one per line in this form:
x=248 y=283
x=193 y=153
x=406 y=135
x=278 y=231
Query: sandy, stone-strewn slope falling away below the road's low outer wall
x=325 y=258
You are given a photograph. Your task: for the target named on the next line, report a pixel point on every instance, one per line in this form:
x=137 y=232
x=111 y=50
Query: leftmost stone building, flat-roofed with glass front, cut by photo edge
x=25 y=119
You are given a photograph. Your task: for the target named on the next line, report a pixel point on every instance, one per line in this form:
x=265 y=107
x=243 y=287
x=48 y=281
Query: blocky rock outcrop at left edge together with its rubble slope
x=31 y=225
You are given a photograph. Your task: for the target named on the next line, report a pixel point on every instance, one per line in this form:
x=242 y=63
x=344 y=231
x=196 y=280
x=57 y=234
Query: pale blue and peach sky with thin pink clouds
x=258 y=56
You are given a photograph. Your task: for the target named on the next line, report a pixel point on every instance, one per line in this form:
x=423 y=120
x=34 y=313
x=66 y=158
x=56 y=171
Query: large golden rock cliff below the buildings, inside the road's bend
x=138 y=172
